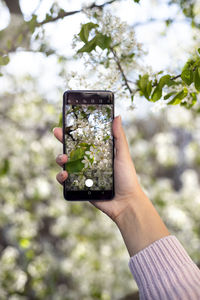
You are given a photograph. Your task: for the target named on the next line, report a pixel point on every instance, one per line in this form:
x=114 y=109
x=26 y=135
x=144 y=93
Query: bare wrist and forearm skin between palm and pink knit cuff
x=140 y=225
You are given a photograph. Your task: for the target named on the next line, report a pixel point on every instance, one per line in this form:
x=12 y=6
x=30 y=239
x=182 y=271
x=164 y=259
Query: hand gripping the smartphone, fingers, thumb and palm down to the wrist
x=127 y=187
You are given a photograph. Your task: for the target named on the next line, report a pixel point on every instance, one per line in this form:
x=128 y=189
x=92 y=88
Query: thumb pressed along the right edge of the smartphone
x=121 y=144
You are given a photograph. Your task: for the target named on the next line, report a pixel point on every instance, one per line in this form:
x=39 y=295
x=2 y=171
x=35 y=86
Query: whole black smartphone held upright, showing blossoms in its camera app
x=89 y=144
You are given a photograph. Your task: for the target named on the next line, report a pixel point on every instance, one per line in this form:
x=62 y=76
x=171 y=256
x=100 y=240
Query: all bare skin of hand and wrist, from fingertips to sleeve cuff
x=134 y=214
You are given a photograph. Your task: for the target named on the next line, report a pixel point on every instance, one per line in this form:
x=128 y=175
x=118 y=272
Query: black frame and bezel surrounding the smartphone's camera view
x=87 y=195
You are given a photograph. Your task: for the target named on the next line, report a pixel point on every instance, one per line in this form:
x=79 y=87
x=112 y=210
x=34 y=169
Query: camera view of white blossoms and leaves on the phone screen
x=88 y=136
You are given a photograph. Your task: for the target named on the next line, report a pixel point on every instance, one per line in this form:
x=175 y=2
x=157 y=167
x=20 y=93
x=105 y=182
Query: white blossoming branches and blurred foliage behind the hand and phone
x=52 y=249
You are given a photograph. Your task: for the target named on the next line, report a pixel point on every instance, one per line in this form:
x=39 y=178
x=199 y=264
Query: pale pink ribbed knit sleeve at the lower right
x=164 y=270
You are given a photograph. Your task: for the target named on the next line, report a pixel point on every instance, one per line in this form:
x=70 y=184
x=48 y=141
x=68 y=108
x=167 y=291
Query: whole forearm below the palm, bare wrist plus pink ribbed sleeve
x=163 y=270
